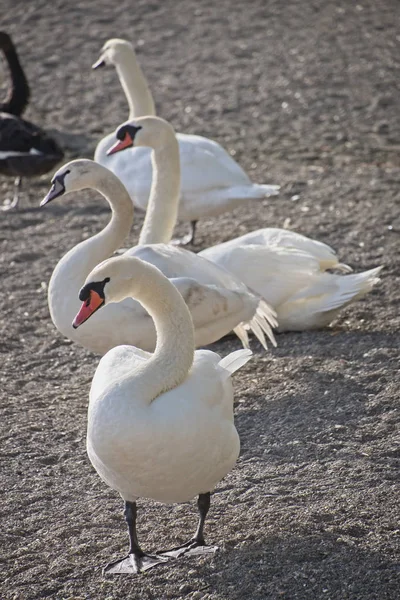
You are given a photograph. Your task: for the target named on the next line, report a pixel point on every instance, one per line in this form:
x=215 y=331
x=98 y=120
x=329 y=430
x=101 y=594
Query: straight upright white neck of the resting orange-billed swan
x=163 y=205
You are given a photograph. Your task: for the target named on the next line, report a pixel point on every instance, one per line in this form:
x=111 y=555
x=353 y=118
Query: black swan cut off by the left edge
x=26 y=150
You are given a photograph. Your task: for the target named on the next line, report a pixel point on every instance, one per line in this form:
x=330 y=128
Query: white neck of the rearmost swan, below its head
x=134 y=84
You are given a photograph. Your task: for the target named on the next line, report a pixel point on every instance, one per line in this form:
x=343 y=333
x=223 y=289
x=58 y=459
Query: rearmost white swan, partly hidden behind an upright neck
x=212 y=182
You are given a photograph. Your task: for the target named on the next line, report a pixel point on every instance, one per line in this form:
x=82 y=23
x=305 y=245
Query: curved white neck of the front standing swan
x=174 y=353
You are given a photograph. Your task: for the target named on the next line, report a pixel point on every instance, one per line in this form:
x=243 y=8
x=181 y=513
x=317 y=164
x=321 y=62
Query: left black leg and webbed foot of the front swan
x=137 y=561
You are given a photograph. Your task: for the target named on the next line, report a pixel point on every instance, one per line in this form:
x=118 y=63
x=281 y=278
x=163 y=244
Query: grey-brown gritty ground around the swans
x=305 y=94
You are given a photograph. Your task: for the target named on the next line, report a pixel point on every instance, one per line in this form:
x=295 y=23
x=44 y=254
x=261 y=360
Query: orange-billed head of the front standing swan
x=113 y=280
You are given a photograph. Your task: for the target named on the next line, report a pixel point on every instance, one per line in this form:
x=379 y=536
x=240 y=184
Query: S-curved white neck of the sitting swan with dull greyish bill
x=72 y=270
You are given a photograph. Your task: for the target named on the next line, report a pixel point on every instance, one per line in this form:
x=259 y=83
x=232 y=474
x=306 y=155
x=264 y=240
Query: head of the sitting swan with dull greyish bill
x=74 y=176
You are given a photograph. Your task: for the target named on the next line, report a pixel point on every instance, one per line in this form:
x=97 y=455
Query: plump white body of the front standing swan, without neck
x=195 y=415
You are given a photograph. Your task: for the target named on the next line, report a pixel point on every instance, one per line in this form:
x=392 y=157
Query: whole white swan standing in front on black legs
x=160 y=425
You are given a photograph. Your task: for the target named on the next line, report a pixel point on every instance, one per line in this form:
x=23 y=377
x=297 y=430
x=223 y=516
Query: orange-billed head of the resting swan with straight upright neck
x=152 y=132
